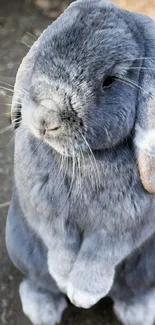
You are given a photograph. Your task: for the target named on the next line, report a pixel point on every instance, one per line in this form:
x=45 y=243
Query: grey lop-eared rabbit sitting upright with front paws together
x=81 y=222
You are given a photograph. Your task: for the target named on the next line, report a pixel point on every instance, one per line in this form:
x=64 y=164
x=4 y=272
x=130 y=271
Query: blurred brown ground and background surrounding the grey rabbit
x=21 y=22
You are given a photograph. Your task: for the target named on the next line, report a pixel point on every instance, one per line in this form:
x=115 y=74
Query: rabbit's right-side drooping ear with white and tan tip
x=144 y=138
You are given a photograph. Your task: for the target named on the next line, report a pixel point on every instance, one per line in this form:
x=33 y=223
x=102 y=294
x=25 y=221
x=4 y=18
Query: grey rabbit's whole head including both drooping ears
x=87 y=83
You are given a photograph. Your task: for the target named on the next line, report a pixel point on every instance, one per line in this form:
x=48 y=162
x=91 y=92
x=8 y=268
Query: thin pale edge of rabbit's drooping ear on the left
x=21 y=84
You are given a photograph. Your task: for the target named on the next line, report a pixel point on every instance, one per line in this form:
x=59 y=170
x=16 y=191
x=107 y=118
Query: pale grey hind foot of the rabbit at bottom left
x=40 y=306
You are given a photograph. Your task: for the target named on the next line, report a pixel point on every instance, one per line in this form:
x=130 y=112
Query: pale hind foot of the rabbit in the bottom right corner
x=142 y=312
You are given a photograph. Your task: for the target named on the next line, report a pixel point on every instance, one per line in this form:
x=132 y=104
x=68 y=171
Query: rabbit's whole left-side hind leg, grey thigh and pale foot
x=41 y=299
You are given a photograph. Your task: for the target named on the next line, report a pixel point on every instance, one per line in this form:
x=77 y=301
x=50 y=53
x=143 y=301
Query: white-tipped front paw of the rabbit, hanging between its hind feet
x=85 y=294
